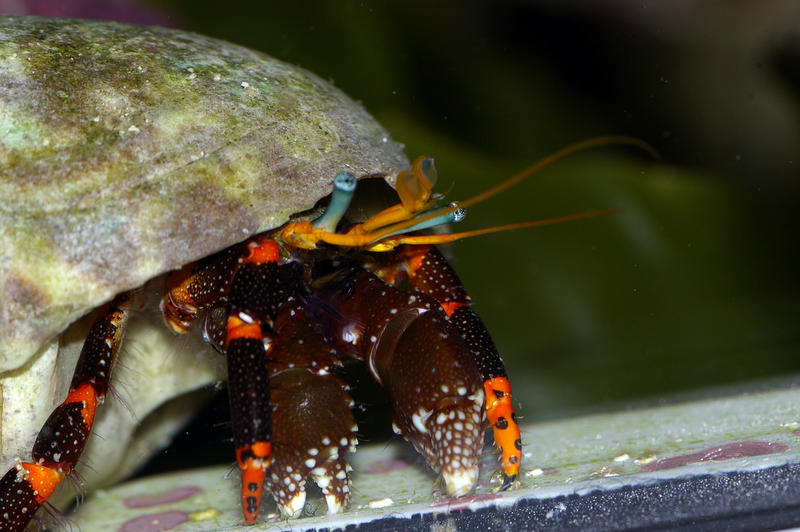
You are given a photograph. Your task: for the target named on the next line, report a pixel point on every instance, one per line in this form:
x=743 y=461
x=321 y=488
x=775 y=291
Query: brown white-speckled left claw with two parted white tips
x=313 y=427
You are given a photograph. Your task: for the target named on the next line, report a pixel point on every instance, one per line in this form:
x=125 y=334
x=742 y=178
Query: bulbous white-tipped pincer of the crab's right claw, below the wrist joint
x=437 y=395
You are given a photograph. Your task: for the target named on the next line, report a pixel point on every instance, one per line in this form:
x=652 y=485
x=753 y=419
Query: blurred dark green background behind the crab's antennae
x=693 y=284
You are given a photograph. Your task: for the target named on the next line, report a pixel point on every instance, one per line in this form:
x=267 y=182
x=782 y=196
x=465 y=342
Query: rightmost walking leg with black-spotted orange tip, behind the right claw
x=430 y=273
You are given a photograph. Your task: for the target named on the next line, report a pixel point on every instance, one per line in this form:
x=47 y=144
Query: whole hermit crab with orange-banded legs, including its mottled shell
x=130 y=152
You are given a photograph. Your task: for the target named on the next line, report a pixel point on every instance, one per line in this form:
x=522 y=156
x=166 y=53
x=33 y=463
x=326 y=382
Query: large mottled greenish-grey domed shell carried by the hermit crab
x=126 y=152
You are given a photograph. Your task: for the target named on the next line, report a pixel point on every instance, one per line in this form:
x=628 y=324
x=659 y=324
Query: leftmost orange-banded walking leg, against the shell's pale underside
x=63 y=436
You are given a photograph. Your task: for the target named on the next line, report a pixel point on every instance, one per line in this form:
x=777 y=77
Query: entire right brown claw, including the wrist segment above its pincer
x=424 y=362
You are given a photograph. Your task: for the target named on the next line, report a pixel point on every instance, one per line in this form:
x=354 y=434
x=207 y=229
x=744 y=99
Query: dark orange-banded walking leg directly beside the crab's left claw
x=246 y=275
